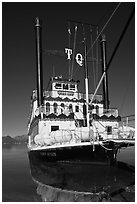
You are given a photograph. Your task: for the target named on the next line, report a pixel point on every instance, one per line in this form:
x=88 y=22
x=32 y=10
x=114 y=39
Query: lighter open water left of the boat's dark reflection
x=17 y=184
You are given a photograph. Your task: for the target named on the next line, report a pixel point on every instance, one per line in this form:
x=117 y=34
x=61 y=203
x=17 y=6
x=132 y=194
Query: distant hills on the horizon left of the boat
x=16 y=140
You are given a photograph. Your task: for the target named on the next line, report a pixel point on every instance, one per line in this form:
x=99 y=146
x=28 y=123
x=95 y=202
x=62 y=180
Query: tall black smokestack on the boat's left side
x=39 y=62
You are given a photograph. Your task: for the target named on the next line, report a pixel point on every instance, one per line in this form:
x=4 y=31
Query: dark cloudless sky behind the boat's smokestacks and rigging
x=18 y=54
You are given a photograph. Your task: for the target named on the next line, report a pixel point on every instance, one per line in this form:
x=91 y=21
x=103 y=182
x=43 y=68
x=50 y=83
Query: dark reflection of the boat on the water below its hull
x=82 y=182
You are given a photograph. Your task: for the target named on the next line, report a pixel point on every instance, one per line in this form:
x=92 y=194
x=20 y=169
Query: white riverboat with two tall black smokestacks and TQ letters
x=66 y=125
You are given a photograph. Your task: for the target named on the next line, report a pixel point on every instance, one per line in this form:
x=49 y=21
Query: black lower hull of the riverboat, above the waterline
x=76 y=154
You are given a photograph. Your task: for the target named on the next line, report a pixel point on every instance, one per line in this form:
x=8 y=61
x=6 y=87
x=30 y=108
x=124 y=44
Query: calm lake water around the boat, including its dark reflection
x=25 y=180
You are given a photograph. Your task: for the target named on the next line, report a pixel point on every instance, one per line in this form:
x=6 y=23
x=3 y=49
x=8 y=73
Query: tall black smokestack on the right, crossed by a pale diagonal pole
x=104 y=67
